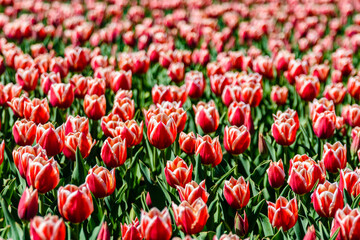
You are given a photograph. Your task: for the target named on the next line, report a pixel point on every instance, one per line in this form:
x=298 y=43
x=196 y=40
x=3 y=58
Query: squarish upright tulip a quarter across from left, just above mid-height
x=95 y=106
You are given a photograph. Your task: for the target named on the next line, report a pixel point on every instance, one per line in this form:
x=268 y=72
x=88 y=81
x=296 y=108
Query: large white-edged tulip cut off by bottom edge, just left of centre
x=156 y=225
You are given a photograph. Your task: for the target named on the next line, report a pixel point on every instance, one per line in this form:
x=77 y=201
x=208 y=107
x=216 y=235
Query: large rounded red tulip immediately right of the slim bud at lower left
x=75 y=203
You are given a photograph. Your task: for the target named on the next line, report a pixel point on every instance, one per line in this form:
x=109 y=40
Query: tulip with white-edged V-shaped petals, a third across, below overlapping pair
x=113 y=152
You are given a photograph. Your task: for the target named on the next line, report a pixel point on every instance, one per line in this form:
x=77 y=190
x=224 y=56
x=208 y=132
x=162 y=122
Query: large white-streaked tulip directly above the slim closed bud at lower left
x=42 y=174
